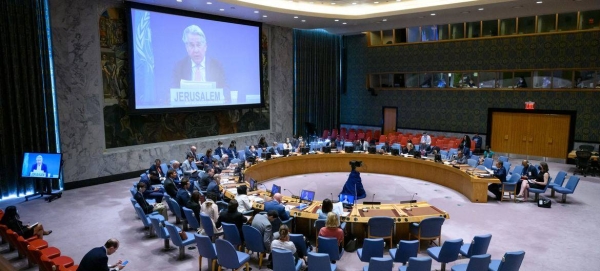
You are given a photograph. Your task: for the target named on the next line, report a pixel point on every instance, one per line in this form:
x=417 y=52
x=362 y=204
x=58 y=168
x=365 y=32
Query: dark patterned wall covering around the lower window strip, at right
x=465 y=110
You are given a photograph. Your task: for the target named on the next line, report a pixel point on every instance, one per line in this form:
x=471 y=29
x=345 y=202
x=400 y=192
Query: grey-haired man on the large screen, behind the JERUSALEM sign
x=196 y=66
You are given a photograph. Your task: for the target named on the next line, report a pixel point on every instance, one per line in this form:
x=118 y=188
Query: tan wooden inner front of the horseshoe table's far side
x=472 y=187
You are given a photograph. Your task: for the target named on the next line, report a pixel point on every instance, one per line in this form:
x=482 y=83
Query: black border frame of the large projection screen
x=132 y=110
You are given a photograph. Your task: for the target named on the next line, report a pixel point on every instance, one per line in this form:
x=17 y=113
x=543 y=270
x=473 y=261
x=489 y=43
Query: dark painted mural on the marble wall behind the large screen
x=122 y=129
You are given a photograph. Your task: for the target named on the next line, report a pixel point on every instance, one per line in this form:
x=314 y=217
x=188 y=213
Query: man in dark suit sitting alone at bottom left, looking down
x=97 y=258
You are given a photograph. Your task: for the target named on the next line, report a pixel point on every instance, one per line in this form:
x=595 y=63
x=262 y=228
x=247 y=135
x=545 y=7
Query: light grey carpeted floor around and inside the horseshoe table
x=553 y=239
